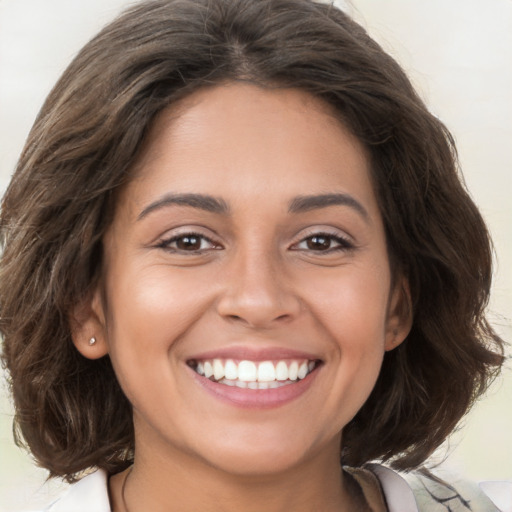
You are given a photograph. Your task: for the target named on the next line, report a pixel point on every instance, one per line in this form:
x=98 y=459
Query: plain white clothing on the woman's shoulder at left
x=88 y=495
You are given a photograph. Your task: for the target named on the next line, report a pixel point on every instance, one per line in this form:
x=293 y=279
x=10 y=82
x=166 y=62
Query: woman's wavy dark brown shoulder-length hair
x=70 y=411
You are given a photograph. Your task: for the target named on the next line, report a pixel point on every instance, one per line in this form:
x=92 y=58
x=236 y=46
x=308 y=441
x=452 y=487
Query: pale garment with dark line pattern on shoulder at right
x=418 y=492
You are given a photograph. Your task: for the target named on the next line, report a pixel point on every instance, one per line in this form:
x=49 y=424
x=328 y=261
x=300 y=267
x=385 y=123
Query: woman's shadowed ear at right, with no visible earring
x=400 y=315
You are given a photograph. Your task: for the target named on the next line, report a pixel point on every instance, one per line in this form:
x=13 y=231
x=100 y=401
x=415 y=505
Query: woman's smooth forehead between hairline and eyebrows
x=238 y=139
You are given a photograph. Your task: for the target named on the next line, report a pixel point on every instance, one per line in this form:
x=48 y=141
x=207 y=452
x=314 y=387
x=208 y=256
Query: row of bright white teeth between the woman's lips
x=254 y=375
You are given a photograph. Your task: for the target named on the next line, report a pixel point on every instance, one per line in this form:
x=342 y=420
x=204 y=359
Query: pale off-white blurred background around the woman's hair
x=458 y=52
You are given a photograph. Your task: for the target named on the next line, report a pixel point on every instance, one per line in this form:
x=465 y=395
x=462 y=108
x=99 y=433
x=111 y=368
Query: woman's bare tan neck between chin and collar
x=163 y=484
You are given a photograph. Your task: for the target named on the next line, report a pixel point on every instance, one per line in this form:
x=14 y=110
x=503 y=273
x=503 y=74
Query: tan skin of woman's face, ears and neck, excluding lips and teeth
x=258 y=281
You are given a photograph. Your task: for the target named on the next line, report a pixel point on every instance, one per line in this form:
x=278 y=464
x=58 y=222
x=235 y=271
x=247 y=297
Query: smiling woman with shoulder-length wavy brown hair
x=236 y=253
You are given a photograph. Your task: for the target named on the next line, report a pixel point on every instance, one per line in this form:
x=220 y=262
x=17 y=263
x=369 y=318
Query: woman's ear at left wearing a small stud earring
x=88 y=327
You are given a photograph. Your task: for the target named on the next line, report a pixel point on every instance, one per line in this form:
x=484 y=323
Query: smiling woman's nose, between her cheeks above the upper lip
x=258 y=292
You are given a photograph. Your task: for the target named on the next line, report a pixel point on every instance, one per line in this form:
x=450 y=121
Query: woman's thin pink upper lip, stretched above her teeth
x=254 y=354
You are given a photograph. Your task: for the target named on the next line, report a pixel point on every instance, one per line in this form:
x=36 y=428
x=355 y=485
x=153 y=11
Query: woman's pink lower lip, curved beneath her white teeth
x=256 y=398
